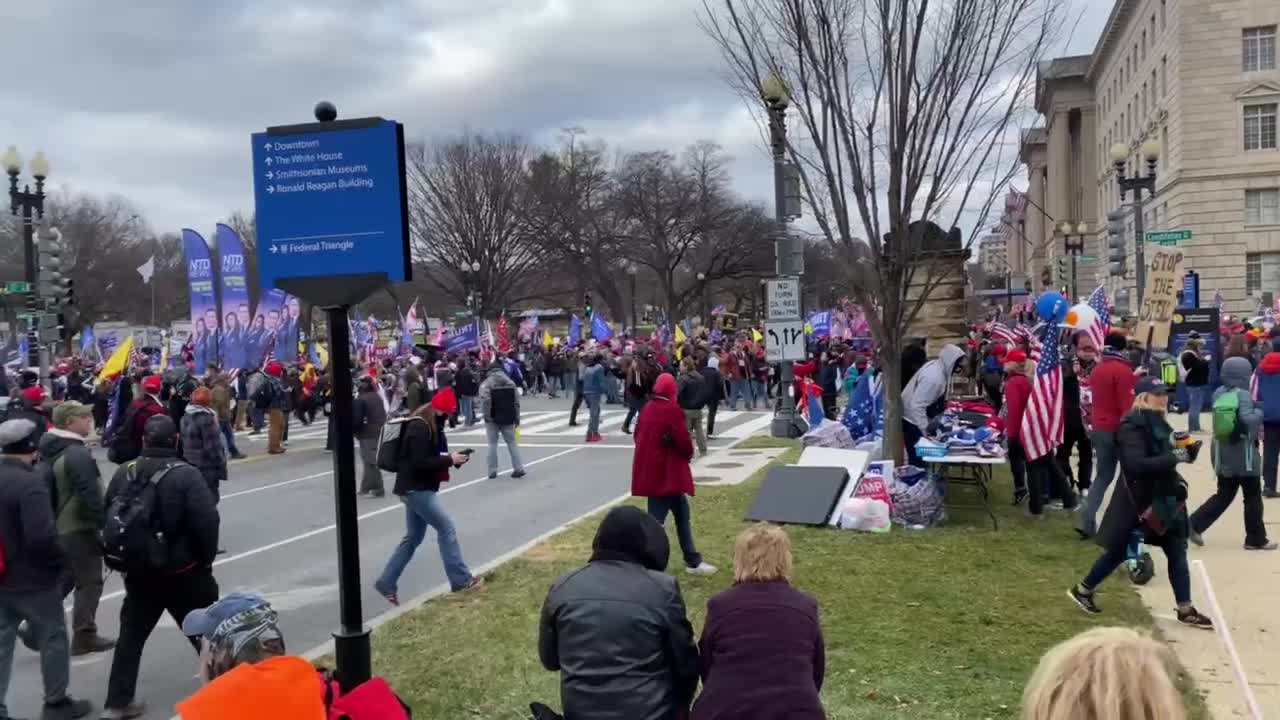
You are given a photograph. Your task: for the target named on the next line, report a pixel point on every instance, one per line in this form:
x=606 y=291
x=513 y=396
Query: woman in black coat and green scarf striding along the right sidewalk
x=1151 y=500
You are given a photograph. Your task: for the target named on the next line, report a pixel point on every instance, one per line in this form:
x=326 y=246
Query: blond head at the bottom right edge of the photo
x=1113 y=673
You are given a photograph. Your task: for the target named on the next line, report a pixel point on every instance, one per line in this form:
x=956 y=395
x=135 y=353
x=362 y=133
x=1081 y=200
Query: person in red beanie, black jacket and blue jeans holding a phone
x=424 y=467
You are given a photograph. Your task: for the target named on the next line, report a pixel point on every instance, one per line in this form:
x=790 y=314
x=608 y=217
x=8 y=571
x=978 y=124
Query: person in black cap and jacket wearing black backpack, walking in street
x=162 y=535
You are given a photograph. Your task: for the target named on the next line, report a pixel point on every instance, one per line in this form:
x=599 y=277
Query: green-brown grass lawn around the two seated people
x=938 y=625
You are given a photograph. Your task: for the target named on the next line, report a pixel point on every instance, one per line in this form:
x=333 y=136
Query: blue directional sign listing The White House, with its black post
x=333 y=229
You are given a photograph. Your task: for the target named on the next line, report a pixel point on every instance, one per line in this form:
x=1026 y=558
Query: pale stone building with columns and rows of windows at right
x=1200 y=78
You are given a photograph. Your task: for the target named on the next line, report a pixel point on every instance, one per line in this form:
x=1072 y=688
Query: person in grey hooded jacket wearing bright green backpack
x=1237 y=462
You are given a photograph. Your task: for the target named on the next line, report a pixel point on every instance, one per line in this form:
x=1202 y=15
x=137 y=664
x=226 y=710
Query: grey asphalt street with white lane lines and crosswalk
x=277 y=526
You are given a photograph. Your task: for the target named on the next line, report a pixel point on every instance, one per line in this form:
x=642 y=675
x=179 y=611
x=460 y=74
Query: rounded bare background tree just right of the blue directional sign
x=468 y=204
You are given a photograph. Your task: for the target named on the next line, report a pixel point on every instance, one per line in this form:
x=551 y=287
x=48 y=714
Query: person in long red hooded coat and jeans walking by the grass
x=660 y=470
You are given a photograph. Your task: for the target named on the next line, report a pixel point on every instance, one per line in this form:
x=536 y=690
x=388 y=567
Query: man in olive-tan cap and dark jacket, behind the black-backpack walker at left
x=80 y=514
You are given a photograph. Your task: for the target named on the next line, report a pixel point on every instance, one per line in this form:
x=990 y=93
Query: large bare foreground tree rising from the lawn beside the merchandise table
x=907 y=113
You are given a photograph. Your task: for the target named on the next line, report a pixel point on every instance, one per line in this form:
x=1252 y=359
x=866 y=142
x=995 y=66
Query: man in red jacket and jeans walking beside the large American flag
x=1112 y=384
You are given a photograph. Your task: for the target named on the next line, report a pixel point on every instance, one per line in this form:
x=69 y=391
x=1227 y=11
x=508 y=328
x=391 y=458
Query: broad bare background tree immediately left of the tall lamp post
x=682 y=222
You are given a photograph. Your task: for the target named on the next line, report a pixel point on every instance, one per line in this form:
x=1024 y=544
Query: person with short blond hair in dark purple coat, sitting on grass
x=762 y=653
